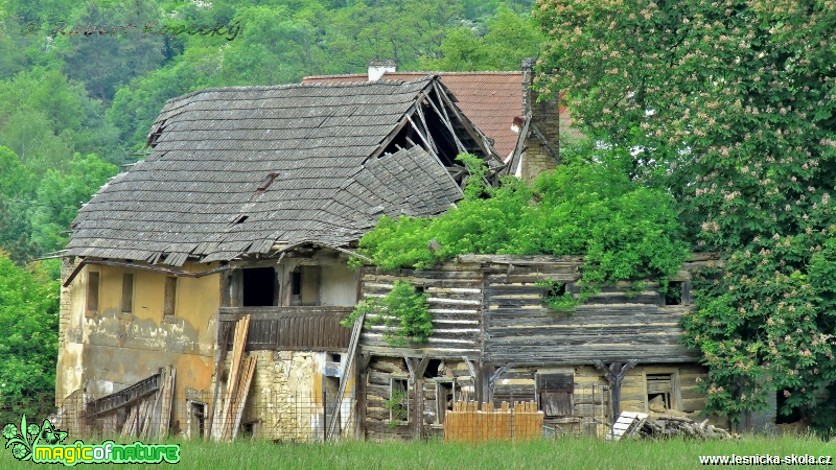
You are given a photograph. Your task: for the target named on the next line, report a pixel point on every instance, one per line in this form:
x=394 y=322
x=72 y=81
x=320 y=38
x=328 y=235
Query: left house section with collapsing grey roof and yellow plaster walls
x=248 y=203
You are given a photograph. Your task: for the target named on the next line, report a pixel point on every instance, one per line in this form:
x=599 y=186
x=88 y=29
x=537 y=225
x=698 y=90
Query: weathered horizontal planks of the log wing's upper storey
x=489 y=307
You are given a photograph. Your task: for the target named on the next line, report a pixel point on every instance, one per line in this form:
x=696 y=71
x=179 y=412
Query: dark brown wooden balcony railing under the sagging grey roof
x=289 y=328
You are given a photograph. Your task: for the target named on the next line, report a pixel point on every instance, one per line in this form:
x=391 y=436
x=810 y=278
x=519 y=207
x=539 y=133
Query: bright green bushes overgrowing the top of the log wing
x=626 y=231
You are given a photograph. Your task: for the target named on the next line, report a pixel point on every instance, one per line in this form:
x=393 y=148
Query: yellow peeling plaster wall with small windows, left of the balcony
x=109 y=350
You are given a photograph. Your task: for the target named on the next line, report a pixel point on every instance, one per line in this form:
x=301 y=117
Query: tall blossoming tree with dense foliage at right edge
x=729 y=104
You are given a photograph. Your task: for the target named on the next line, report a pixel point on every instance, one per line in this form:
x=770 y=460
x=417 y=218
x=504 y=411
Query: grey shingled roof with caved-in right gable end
x=237 y=171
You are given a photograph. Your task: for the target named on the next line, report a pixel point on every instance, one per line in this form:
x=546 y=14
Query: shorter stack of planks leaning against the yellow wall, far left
x=150 y=417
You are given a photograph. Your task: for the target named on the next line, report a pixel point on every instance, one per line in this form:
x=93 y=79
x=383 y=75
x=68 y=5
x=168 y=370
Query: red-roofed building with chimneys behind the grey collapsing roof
x=525 y=130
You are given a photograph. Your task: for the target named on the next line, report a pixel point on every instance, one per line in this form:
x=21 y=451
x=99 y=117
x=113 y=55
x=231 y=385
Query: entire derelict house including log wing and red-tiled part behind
x=249 y=205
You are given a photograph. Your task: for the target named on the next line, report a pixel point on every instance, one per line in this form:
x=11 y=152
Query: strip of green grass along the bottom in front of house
x=585 y=453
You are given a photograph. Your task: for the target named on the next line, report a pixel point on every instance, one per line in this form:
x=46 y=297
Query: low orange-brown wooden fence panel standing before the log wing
x=469 y=424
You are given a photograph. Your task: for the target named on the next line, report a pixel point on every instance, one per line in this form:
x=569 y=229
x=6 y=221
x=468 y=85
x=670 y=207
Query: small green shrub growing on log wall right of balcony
x=403 y=311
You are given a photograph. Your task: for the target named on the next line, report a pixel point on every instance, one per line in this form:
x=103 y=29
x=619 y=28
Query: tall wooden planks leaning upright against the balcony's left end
x=231 y=394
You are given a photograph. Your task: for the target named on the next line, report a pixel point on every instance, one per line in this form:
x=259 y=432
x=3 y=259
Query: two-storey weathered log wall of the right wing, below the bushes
x=492 y=330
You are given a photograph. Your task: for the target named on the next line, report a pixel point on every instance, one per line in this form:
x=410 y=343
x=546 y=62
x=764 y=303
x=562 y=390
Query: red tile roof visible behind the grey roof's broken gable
x=490 y=99
